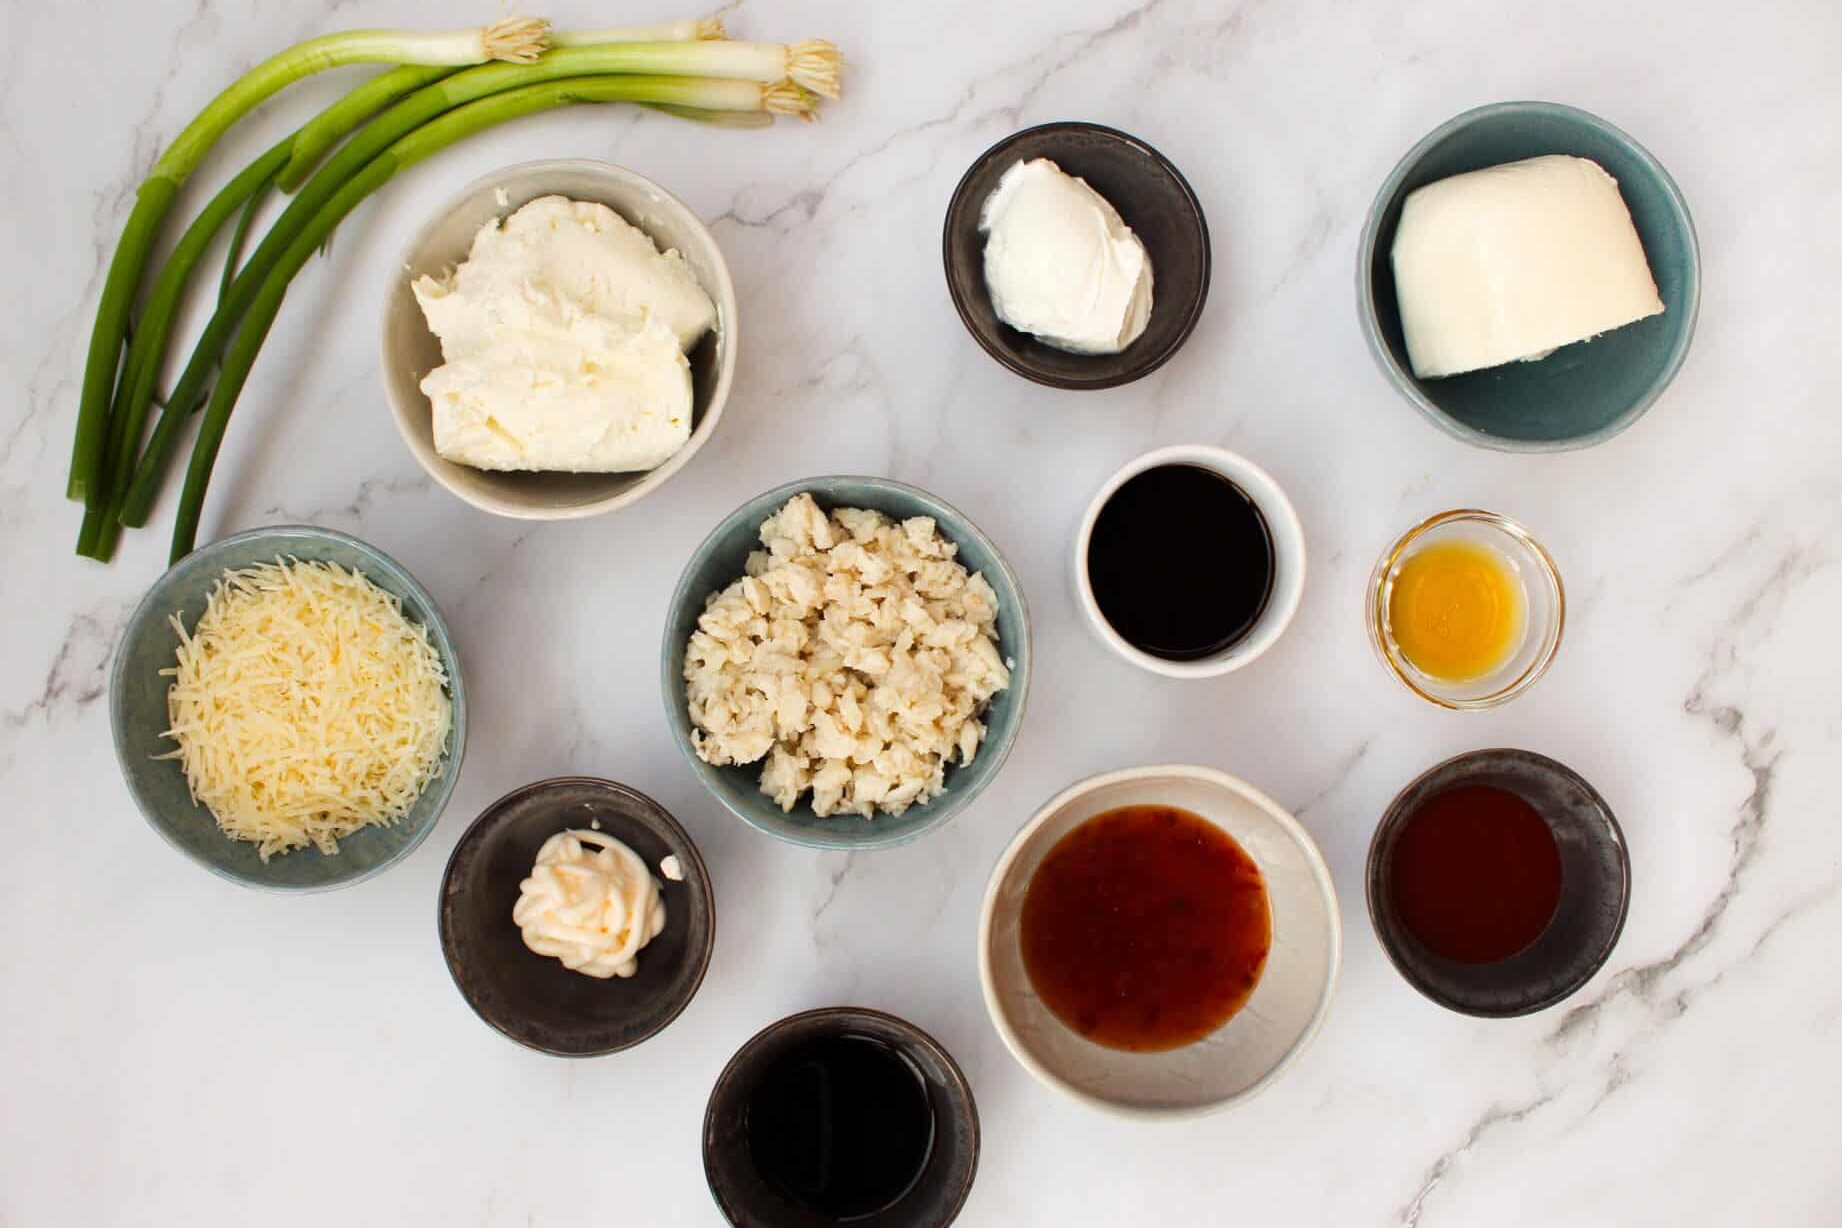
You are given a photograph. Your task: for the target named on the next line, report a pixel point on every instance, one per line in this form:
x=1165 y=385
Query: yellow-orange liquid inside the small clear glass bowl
x=1458 y=610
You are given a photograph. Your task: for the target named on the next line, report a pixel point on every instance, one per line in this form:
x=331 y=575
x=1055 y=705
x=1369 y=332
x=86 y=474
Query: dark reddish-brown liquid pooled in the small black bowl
x=1476 y=874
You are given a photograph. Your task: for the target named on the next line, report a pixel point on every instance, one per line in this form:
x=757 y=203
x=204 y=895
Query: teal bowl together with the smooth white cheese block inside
x=1530 y=279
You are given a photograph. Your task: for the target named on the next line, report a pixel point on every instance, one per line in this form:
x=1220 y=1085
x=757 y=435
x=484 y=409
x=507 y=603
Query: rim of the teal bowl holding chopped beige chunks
x=671 y=684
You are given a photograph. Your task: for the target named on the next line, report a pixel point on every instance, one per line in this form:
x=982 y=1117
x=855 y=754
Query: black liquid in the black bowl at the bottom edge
x=841 y=1126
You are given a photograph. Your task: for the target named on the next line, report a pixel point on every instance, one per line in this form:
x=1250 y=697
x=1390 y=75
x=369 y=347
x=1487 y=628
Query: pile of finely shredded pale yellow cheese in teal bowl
x=305 y=706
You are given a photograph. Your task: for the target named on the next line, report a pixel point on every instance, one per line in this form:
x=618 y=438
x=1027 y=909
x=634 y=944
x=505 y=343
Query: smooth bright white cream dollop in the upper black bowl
x=1062 y=264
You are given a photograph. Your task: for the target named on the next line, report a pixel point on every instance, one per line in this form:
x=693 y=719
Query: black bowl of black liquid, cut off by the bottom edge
x=841 y=1117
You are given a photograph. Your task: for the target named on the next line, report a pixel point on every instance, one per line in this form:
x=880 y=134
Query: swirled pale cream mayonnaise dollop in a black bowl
x=590 y=903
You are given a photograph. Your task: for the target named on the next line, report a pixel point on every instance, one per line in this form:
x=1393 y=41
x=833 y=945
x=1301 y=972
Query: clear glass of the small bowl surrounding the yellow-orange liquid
x=1545 y=608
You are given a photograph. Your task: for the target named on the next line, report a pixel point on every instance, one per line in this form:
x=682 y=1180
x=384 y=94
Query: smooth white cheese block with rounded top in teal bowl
x=1515 y=262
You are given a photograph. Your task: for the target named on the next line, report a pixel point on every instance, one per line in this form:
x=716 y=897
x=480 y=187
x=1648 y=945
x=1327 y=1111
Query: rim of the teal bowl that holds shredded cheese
x=445 y=645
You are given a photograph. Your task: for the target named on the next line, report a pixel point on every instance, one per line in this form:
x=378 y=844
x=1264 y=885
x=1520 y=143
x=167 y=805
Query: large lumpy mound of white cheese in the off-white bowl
x=565 y=336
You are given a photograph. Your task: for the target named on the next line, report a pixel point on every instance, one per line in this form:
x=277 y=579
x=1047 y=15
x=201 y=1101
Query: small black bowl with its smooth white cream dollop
x=1077 y=255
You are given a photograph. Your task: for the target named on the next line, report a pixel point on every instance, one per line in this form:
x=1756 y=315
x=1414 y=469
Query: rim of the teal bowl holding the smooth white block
x=1405 y=380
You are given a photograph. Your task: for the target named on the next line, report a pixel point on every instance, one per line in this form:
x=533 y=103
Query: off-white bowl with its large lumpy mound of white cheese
x=559 y=340
